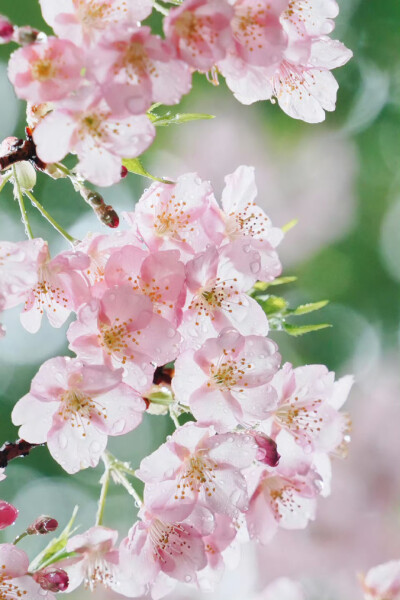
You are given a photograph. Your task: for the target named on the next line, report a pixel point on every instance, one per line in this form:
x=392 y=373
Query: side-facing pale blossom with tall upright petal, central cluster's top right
x=244 y=219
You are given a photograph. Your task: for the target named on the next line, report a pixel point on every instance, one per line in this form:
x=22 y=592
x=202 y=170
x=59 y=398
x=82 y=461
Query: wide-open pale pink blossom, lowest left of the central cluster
x=74 y=407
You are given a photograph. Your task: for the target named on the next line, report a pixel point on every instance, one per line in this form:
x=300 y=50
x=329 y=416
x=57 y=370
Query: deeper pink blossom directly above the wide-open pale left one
x=121 y=330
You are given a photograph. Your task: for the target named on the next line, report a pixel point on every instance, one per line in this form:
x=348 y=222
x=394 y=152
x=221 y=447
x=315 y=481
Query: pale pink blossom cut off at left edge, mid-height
x=18 y=269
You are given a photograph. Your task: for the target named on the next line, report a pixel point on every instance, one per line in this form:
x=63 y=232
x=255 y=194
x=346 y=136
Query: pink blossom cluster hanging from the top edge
x=91 y=84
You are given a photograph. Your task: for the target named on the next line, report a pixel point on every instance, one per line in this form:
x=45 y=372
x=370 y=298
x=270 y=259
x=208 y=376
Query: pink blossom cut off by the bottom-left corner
x=14 y=580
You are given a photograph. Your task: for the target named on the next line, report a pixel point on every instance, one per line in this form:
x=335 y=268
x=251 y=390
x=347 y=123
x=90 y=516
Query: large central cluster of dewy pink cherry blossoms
x=172 y=294
